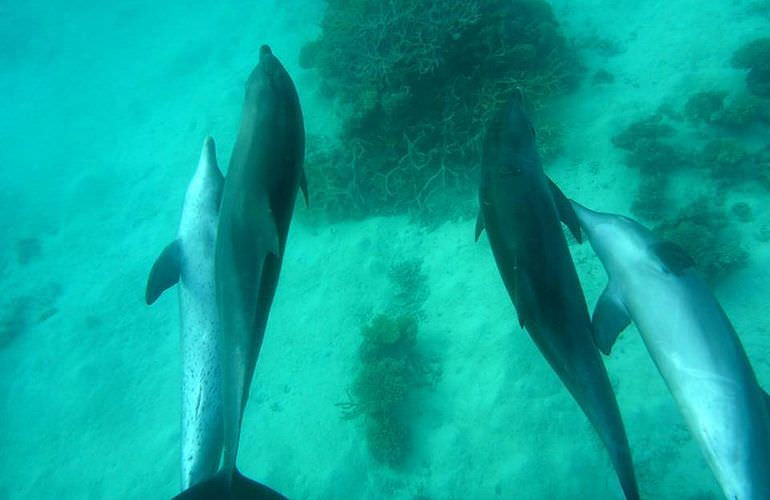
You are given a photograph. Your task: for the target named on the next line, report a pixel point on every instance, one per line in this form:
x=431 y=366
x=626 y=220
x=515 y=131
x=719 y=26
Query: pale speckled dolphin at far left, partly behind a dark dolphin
x=190 y=260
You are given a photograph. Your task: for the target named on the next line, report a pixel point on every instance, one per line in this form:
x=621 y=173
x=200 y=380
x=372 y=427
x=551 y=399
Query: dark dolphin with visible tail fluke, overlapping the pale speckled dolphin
x=260 y=189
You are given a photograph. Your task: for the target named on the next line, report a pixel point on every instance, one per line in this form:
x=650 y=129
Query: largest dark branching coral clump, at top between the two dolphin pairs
x=416 y=84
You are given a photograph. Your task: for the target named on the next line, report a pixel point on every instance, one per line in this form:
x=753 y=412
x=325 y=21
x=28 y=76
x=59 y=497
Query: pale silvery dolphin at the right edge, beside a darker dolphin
x=695 y=348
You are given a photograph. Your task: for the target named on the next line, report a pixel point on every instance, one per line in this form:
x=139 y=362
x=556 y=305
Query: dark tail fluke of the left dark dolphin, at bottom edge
x=237 y=487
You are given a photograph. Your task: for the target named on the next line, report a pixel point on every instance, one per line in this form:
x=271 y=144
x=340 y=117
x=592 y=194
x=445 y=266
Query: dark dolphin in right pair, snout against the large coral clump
x=520 y=210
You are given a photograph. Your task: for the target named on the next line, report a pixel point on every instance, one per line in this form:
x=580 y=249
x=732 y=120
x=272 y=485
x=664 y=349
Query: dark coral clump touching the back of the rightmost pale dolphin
x=703 y=230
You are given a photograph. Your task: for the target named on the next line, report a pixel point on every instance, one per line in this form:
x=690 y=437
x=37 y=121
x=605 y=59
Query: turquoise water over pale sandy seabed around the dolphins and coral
x=102 y=112
